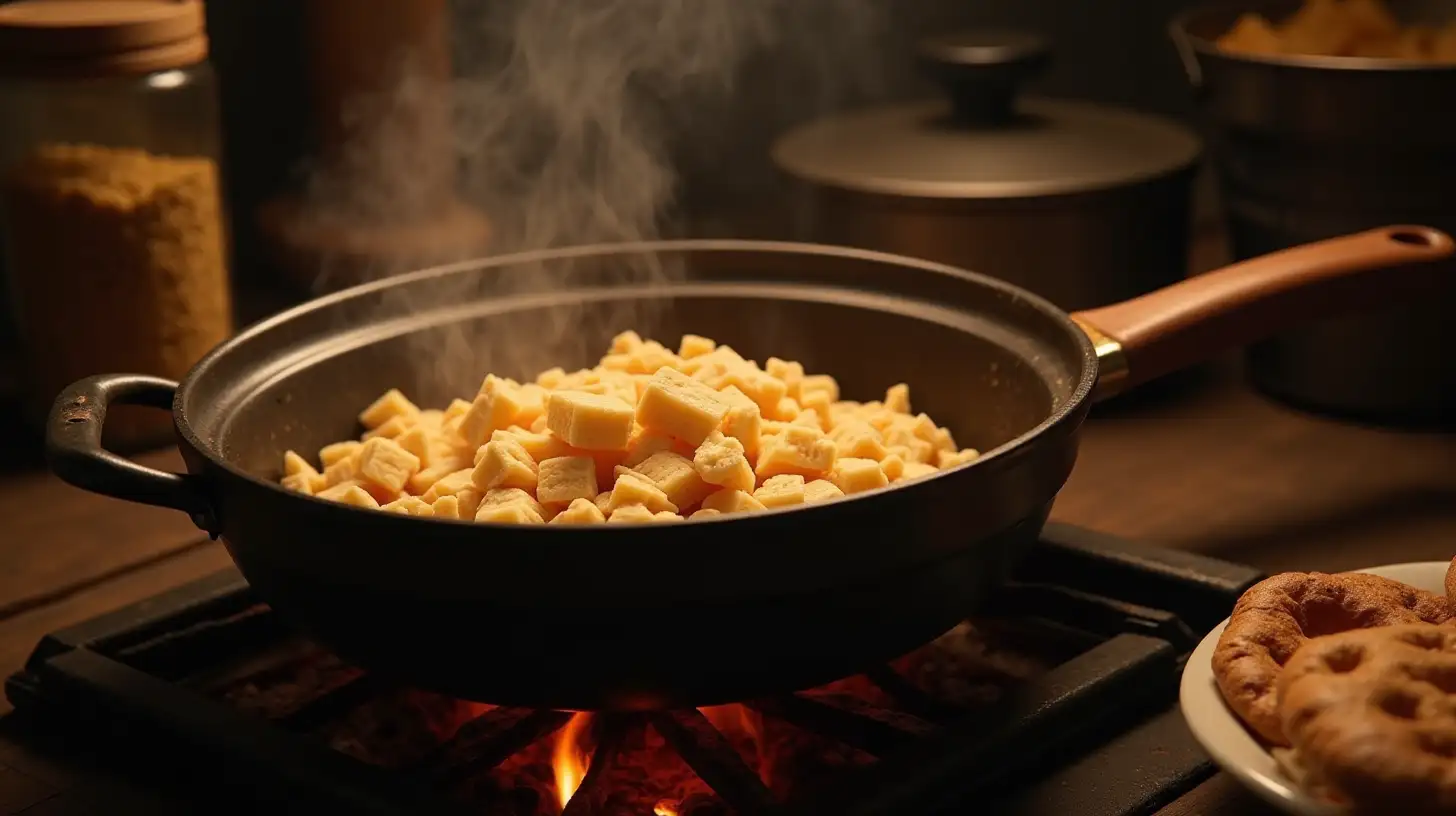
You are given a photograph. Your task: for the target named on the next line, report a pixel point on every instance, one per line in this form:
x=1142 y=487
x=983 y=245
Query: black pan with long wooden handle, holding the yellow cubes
x=633 y=617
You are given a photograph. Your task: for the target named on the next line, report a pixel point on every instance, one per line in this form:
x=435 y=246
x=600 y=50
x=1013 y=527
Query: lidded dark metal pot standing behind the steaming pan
x=1078 y=203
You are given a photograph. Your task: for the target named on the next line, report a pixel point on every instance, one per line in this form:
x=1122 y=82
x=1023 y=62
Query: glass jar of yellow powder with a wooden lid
x=111 y=216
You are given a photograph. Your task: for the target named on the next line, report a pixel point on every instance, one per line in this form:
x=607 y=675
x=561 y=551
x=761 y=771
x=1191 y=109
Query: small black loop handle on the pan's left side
x=75 y=454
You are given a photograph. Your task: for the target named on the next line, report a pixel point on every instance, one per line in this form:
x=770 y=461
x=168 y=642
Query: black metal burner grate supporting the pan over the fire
x=1100 y=725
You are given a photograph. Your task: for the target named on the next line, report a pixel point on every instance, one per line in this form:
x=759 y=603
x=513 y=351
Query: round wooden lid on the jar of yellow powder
x=94 y=39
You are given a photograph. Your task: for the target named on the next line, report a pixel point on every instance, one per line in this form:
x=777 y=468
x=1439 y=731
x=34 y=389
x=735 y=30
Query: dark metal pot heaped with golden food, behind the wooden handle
x=1308 y=148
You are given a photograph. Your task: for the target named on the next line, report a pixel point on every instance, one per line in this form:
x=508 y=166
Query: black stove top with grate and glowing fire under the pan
x=1059 y=699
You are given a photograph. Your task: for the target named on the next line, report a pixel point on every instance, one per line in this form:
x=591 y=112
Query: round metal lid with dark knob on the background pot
x=986 y=142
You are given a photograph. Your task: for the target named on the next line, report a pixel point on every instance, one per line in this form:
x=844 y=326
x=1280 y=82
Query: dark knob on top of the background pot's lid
x=981 y=71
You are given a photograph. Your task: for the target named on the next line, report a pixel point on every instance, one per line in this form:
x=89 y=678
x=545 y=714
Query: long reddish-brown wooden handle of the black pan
x=1192 y=321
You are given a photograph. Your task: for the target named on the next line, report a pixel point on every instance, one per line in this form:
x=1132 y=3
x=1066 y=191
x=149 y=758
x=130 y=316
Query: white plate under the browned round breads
x=1224 y=735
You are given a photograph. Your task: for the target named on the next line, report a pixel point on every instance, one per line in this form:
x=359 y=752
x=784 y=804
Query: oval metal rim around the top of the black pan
x=1058 y=417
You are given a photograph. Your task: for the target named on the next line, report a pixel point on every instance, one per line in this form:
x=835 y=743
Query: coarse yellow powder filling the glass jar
x=117 y=262
